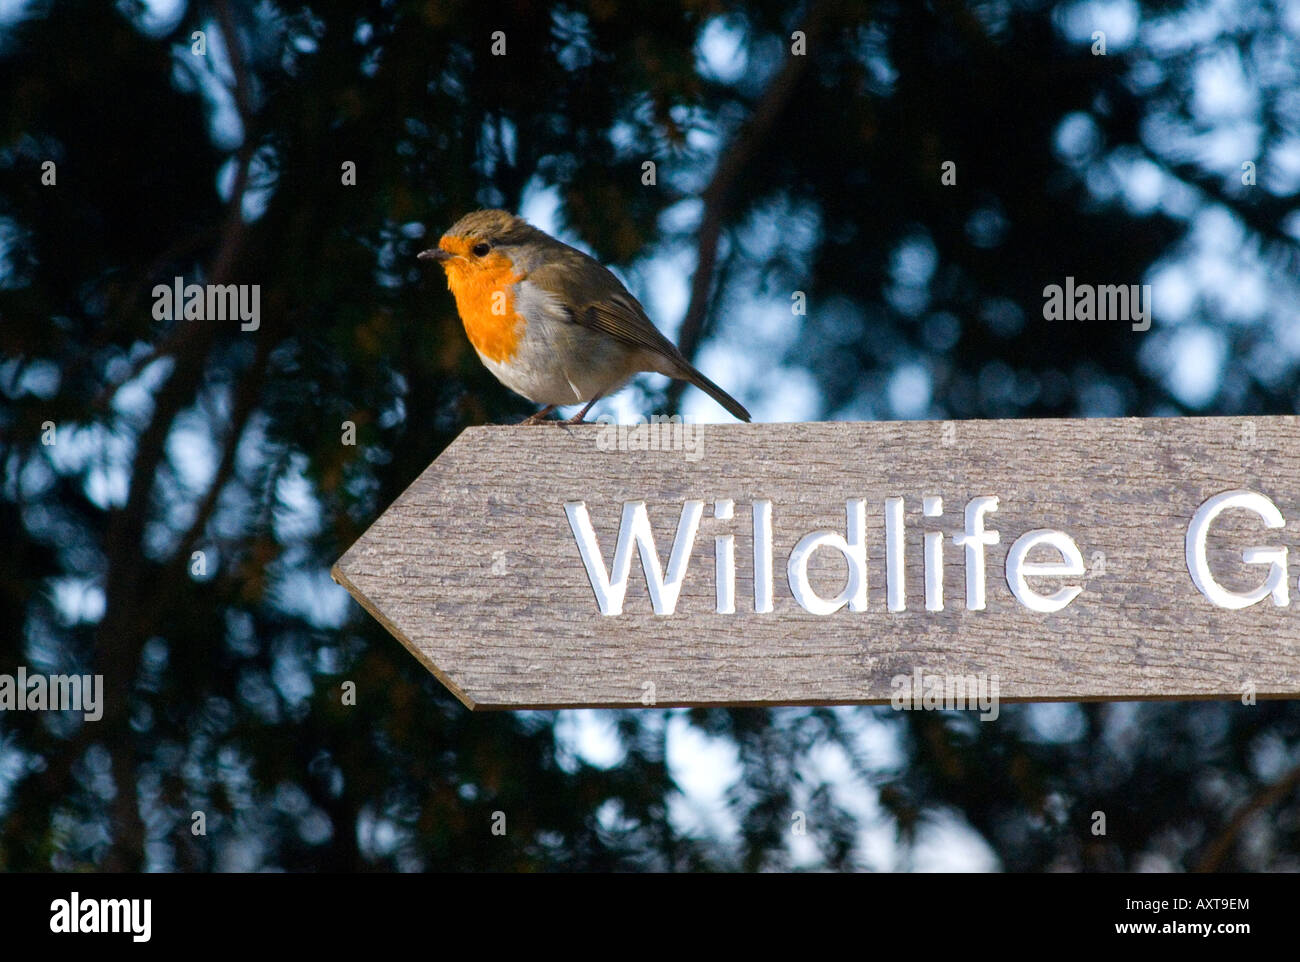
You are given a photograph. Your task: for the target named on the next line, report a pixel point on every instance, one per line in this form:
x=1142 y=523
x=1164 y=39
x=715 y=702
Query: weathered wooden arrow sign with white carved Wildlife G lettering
x=837 y=564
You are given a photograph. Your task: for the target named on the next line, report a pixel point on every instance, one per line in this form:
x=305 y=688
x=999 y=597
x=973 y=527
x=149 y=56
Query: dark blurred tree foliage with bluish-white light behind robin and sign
x=177 y=535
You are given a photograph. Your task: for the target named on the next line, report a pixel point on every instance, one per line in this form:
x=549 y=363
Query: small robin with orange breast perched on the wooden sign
x=549 y=322
